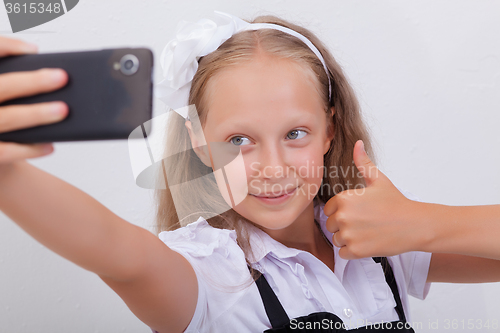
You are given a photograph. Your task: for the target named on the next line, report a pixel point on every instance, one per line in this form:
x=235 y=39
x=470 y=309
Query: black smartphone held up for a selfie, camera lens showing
x=109 y=94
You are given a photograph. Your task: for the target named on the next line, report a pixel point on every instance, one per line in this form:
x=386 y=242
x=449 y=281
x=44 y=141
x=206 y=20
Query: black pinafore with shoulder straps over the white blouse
x=328 y=322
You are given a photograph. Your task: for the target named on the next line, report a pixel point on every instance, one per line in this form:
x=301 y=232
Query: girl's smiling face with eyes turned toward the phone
x=270 y=108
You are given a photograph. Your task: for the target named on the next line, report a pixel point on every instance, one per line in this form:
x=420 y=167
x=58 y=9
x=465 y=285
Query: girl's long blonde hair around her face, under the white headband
x=346 y=124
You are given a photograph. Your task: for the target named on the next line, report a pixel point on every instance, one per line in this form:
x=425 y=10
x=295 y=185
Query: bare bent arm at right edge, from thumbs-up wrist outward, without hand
x=473 y=231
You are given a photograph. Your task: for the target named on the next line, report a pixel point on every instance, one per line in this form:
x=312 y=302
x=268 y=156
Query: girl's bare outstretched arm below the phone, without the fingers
x=157 y=283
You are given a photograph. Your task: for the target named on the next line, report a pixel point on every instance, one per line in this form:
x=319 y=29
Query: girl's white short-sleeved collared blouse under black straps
x=228 y=301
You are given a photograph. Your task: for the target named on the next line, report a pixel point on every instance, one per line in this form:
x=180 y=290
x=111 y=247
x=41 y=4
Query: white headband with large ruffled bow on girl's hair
x=179 y=58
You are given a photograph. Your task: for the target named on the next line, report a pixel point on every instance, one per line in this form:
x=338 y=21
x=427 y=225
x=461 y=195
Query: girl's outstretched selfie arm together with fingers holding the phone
x=157 y=284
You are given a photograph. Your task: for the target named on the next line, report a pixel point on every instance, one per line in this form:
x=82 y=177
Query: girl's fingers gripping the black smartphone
x=20 y=84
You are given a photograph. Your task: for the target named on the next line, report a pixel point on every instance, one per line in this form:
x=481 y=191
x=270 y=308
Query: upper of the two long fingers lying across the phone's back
x=21 y=84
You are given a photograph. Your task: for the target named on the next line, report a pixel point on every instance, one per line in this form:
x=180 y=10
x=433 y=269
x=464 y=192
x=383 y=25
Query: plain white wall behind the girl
x=428 y=77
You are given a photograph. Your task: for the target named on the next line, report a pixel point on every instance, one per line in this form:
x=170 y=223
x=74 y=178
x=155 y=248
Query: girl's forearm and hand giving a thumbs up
x=380 y=221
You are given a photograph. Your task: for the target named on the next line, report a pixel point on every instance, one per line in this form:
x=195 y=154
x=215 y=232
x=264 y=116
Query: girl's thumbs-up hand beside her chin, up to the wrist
x=372 y=221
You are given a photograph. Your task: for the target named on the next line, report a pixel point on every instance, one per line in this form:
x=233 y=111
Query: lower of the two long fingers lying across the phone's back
x=14 y=117
